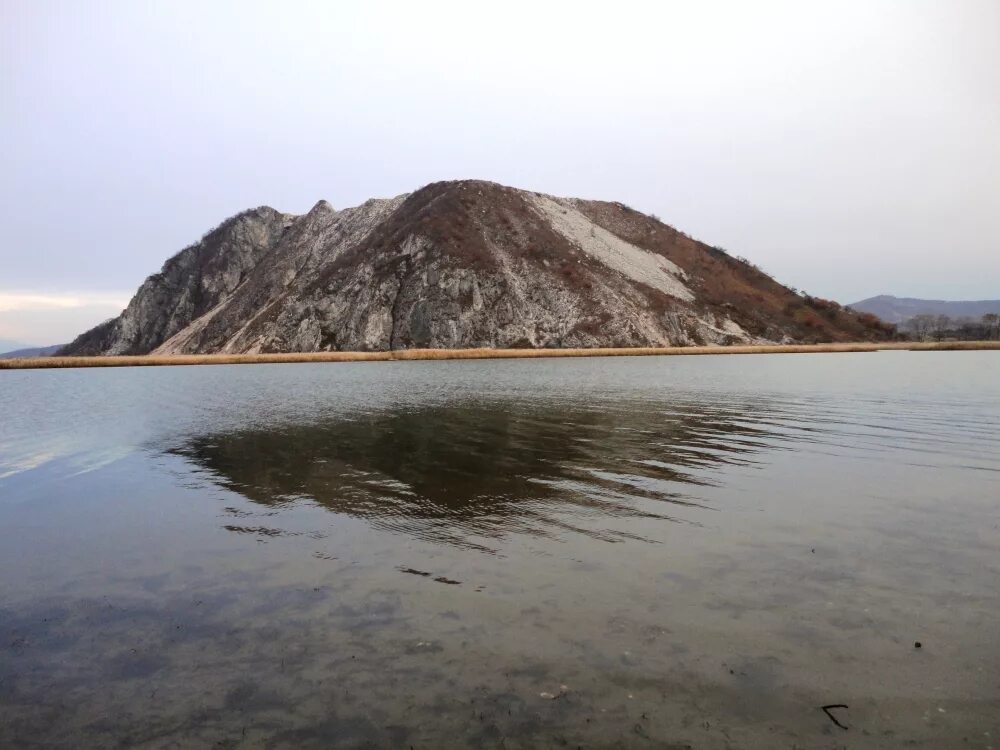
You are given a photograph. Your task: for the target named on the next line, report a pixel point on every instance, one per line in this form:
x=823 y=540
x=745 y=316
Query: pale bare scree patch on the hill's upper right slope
x=637 y=264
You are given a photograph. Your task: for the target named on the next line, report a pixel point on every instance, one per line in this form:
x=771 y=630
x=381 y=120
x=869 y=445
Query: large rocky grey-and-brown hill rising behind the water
x=459 y=264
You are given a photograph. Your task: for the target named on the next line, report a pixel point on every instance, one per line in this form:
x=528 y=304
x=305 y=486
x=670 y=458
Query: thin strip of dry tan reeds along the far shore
x=173 y=360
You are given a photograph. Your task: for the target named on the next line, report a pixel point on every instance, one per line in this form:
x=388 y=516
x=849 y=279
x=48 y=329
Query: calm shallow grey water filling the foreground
x=653 y=552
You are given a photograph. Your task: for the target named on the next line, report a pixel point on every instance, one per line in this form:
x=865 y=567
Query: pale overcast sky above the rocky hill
x=849 y=148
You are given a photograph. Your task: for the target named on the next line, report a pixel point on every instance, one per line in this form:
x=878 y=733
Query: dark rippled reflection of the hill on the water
x=454 y=473
